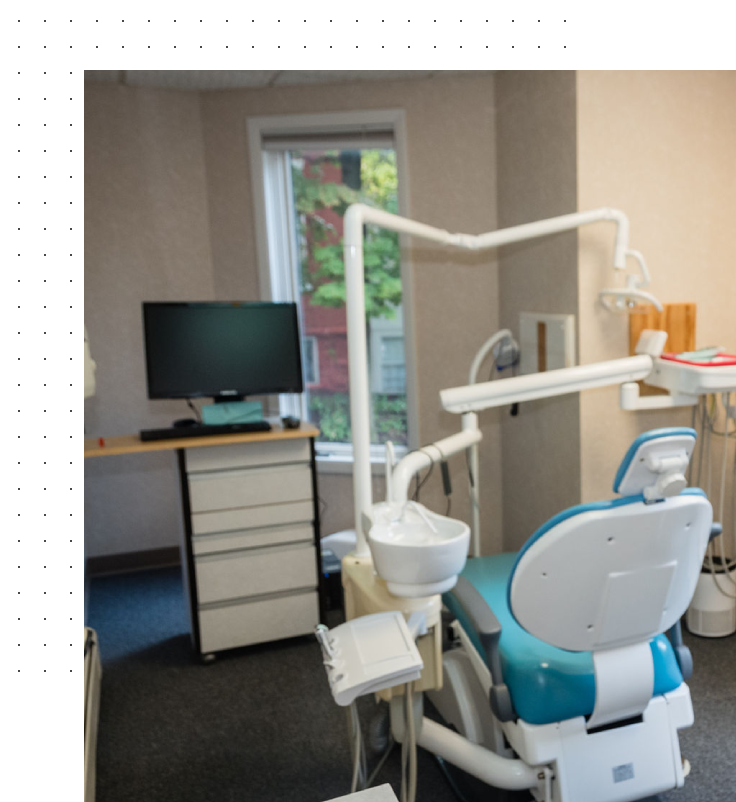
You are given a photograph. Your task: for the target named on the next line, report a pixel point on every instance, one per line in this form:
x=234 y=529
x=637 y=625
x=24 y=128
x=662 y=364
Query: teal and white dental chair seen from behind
x=561 y=657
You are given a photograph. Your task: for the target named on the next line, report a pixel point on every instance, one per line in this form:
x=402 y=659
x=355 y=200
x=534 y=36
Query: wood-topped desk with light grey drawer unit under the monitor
x=250 y=546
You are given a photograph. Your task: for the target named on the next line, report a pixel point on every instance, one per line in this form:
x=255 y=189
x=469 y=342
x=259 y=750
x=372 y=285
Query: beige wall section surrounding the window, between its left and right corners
x=451 y=167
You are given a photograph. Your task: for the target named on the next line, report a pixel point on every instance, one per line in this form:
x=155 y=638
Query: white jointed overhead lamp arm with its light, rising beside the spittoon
x=356 y=217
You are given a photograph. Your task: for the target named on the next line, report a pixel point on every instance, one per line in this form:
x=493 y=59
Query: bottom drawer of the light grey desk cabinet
x=257 y=621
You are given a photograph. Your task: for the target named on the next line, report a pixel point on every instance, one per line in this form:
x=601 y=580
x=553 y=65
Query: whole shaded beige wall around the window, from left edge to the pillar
x=169 y=215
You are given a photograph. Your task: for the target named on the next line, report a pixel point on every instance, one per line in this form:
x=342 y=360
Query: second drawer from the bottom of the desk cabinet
x=252 y=572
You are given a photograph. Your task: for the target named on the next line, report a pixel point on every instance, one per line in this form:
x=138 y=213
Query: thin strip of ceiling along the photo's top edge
x=253 y=79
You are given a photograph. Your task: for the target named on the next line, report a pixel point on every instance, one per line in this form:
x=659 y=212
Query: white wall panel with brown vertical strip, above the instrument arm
x=547 y=341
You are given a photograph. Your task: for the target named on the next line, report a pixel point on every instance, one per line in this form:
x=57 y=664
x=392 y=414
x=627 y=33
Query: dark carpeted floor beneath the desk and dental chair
x=260 y=724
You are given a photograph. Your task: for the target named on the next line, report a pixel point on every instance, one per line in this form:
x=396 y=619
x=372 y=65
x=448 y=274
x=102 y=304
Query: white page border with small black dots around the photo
x=49 y=45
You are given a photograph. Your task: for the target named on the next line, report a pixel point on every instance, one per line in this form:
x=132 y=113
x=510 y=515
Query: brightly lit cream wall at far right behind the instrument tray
x=662 y=147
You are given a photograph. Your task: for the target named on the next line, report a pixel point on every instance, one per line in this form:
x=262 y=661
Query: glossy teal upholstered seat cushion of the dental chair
x=547 y=684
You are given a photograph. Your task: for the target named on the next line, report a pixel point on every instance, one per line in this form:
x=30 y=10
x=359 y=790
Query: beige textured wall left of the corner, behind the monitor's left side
x=146 y=238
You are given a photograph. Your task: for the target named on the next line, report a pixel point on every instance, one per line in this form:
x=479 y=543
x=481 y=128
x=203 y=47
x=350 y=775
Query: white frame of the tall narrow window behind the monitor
x=277 y=254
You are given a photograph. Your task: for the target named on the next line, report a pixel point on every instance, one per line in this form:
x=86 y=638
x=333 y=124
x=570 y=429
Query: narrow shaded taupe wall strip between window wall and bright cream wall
x=535 y=134
